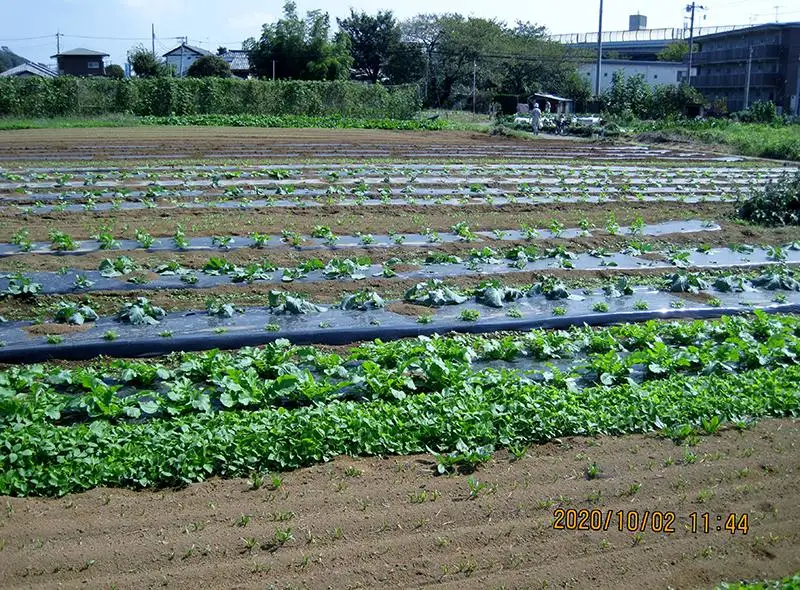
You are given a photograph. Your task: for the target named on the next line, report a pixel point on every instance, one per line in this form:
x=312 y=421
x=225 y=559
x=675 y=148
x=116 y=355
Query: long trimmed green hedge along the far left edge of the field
x=68 y=96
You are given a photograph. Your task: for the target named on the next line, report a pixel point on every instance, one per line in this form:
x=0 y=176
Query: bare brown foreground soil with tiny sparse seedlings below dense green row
x=364 y=523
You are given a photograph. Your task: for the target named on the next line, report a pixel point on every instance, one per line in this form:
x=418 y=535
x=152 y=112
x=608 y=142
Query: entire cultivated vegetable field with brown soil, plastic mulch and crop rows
x=556 y=324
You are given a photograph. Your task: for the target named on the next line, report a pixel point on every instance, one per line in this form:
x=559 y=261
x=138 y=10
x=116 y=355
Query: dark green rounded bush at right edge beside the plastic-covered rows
x=778 y=203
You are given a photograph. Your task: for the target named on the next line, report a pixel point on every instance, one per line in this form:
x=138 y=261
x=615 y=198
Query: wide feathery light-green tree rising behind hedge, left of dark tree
x=301 y=49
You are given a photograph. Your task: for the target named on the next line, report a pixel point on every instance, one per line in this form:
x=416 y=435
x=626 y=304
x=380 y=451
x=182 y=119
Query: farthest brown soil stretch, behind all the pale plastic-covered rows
x=173 y=143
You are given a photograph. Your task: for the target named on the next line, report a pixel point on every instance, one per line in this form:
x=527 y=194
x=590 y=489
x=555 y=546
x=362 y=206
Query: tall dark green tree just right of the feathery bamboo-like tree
x=373 y=39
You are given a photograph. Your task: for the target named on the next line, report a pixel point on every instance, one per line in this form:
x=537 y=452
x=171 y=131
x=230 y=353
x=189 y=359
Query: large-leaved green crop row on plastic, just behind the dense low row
x=283 y=375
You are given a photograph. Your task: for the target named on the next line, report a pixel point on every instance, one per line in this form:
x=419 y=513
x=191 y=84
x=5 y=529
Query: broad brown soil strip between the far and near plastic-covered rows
x=348 y=219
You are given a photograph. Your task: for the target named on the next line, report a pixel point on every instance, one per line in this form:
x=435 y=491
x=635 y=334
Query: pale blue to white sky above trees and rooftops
x=29 y=27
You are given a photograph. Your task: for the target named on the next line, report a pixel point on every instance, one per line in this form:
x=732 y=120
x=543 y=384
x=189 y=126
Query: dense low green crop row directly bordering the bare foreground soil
x=488 y=408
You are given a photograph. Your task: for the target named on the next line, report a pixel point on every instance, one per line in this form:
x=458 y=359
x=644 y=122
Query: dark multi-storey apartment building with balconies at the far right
x=770 y=52
